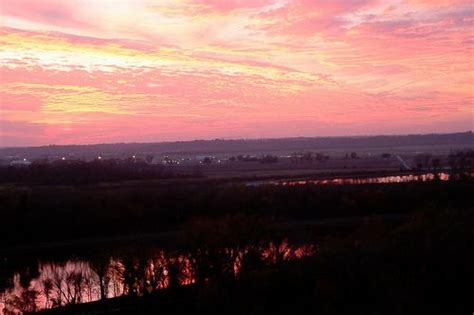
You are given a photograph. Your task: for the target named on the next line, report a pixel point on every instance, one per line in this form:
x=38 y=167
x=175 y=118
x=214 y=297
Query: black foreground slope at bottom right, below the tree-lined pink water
x=421 y=267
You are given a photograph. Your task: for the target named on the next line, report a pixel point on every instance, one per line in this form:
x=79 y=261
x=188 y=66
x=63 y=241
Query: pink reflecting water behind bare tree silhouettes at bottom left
x=80 y=281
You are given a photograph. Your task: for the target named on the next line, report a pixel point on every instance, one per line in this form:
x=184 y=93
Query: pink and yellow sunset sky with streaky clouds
x=95 y=71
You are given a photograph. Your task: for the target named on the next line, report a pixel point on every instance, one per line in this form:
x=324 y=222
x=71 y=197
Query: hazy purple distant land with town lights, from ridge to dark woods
x=237 y=159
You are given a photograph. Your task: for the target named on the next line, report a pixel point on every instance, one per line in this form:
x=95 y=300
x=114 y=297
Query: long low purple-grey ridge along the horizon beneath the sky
x=246 y=145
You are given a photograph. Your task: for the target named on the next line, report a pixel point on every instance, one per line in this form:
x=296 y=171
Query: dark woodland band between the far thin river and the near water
x=58 y=213
